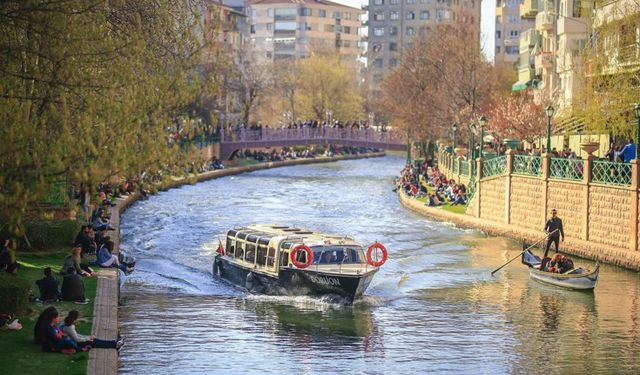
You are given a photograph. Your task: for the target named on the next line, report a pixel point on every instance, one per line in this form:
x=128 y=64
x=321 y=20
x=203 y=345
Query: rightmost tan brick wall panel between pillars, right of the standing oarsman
x=609 y=216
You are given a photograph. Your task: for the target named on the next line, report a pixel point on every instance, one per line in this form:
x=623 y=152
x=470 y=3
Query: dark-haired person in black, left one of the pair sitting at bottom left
x=48 y=334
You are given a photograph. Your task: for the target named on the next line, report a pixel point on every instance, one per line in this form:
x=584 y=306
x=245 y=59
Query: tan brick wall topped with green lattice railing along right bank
x=598 y=201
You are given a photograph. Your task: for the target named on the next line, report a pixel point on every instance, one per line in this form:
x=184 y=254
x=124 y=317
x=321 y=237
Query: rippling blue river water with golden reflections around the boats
x=432 y=308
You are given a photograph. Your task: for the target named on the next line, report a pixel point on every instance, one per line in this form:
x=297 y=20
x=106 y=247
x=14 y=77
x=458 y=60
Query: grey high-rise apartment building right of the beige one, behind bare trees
x=393 y=24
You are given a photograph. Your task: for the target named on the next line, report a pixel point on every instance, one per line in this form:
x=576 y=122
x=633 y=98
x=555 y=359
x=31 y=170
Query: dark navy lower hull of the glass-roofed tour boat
x=293 y=281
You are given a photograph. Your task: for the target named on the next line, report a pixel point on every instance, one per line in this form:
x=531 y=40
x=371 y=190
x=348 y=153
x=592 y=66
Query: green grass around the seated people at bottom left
x=18 y=353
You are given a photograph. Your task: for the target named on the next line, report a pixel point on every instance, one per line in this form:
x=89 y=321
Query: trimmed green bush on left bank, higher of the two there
x=42 y=234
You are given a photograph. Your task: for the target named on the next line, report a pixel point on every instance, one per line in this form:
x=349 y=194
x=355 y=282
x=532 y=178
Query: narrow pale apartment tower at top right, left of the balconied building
x=509 y=26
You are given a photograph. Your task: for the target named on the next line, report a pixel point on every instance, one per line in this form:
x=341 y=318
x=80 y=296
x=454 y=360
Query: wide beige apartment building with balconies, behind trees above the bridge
x=293 y=28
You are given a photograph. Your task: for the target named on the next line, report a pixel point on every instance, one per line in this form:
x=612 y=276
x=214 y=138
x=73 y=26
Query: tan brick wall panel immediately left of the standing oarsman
x=527 y=202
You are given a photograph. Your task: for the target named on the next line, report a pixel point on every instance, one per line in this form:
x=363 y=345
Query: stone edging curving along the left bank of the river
x=105 y=322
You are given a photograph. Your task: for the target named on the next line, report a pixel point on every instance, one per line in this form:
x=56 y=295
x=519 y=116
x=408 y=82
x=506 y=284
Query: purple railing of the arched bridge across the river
x=279 y=134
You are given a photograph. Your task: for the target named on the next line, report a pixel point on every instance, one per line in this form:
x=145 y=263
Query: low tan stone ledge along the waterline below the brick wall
x=584 y=249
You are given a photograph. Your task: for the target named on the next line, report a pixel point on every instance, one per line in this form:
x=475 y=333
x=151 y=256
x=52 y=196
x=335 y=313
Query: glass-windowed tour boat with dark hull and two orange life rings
x=285 y=260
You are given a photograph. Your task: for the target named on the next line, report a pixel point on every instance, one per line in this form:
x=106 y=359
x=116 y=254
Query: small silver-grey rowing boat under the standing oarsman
x=577 y=278
